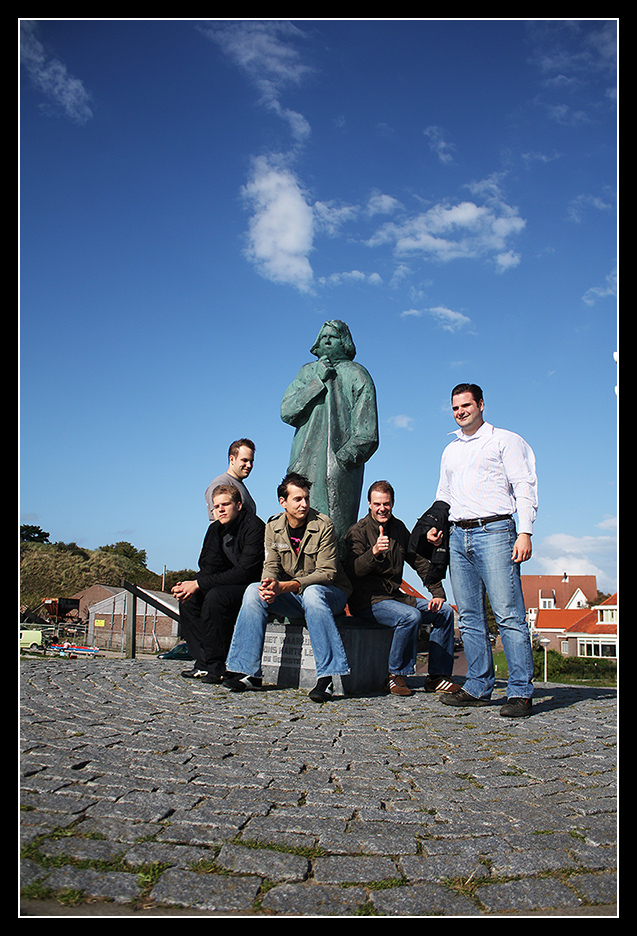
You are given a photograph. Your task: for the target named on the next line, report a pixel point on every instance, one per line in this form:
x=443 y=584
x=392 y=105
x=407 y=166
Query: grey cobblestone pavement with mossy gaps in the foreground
x=145 y=794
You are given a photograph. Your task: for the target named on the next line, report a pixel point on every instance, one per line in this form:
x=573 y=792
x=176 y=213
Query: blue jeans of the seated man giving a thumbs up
x=406 y=622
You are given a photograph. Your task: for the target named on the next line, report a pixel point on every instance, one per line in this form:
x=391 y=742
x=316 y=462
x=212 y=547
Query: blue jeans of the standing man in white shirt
x=480 y=565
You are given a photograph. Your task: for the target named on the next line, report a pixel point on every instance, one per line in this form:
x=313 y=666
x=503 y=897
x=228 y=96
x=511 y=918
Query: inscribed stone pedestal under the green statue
x=288 y=660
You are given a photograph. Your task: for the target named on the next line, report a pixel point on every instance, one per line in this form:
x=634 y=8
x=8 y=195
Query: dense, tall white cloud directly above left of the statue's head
x=281 y=230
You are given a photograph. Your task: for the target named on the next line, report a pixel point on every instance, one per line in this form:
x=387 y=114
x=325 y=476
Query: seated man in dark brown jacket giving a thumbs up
x=376 y=550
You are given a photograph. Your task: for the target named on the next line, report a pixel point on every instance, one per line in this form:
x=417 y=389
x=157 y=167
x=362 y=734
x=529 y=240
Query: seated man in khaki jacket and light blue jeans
x=302 y=576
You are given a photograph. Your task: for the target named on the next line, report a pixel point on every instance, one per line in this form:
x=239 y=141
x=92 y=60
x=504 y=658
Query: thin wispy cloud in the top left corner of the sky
x=65 y=94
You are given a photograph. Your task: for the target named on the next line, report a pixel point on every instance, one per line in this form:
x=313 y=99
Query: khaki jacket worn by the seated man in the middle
x=317 y=562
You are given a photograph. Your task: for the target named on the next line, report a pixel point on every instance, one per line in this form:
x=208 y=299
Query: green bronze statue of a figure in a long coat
x=332 y=405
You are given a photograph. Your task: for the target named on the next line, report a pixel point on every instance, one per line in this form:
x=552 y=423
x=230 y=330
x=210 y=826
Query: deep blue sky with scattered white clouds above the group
x=198 y=197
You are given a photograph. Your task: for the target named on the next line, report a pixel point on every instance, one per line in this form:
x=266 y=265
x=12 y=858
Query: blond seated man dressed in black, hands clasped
x=231 y=557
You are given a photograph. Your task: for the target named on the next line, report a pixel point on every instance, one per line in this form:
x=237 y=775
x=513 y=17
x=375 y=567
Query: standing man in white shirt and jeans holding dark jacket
x=486 y=476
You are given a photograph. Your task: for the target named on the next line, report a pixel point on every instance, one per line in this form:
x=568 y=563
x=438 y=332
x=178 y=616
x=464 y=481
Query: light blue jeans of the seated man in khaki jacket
x=317 y=603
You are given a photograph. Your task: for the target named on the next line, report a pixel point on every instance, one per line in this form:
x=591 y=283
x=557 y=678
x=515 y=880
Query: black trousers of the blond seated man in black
x=207 y=622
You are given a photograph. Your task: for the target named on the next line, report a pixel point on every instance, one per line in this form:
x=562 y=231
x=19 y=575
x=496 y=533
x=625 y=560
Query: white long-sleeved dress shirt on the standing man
x=488 y=473
